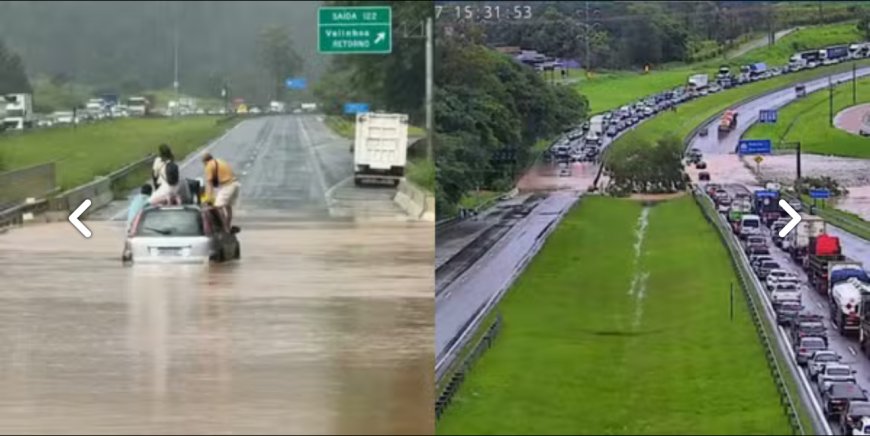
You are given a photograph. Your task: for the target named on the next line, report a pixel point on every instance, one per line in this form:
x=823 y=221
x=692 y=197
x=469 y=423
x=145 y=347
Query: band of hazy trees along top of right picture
x=622 y=35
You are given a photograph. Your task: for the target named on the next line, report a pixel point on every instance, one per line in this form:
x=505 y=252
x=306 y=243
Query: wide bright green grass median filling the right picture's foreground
x=584 y=351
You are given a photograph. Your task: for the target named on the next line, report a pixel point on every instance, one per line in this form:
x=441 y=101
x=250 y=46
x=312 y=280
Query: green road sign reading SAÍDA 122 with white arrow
x=355 y=30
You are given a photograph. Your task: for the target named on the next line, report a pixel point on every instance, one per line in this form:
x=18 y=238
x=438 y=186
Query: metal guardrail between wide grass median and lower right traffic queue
x=775 y=346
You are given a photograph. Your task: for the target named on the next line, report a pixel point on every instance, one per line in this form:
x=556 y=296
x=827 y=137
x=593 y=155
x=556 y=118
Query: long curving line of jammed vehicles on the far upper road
x=586 y=142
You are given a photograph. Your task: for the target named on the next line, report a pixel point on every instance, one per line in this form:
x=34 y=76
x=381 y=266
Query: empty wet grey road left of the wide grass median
x=459 y=301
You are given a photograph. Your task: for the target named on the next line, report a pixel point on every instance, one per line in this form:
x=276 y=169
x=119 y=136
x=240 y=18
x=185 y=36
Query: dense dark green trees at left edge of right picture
x=490 y=111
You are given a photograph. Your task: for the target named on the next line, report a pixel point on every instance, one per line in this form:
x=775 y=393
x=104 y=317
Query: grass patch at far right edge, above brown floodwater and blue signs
x=807 y=120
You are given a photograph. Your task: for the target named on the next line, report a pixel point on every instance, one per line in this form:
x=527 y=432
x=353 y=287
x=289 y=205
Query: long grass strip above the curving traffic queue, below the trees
x=609 y=90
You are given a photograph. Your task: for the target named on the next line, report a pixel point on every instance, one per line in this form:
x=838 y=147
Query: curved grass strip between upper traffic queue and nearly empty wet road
x=689 y=115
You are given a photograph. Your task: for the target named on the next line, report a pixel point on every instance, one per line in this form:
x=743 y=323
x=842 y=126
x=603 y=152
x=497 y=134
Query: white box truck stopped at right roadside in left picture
x=380 y=147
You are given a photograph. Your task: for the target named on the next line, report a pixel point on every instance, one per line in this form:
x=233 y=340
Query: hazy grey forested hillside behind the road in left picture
x=128 y=46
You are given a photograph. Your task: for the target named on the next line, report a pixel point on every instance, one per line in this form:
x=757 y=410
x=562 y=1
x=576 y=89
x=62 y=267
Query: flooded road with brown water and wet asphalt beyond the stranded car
x=325 y=326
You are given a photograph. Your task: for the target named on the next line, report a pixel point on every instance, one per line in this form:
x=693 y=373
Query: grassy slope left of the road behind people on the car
x=91 y=150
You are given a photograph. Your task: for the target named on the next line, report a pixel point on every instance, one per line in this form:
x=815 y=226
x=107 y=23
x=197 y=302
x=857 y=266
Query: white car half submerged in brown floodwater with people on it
x=180 y=234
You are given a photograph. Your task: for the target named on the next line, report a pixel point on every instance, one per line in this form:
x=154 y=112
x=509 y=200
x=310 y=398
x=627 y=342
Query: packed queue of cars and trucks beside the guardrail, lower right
x=808 y=258
